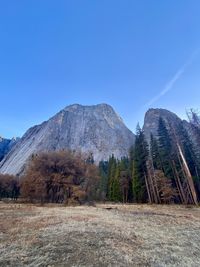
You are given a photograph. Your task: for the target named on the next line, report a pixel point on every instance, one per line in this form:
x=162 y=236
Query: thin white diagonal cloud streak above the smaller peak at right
x=169 y=86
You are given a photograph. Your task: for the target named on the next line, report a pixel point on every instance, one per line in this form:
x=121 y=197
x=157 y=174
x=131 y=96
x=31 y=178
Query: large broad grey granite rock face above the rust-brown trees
x=97 y=129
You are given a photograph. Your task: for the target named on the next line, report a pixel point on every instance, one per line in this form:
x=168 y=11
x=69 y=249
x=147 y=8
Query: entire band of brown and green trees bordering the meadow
x=162 y=170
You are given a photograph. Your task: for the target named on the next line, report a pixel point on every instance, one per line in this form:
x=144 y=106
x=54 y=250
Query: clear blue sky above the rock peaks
x=130 y=54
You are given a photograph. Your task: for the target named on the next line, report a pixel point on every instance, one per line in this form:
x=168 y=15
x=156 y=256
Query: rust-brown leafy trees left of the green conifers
x=54 y=177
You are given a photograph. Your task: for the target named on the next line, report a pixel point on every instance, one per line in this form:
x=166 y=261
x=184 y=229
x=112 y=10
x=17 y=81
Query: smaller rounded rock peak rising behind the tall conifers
x=152 y=118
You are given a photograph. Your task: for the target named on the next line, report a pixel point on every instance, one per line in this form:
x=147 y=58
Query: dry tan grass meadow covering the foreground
x=131 y=235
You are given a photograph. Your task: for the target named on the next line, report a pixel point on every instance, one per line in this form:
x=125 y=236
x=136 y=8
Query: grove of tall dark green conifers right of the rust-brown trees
x=164 y=170
